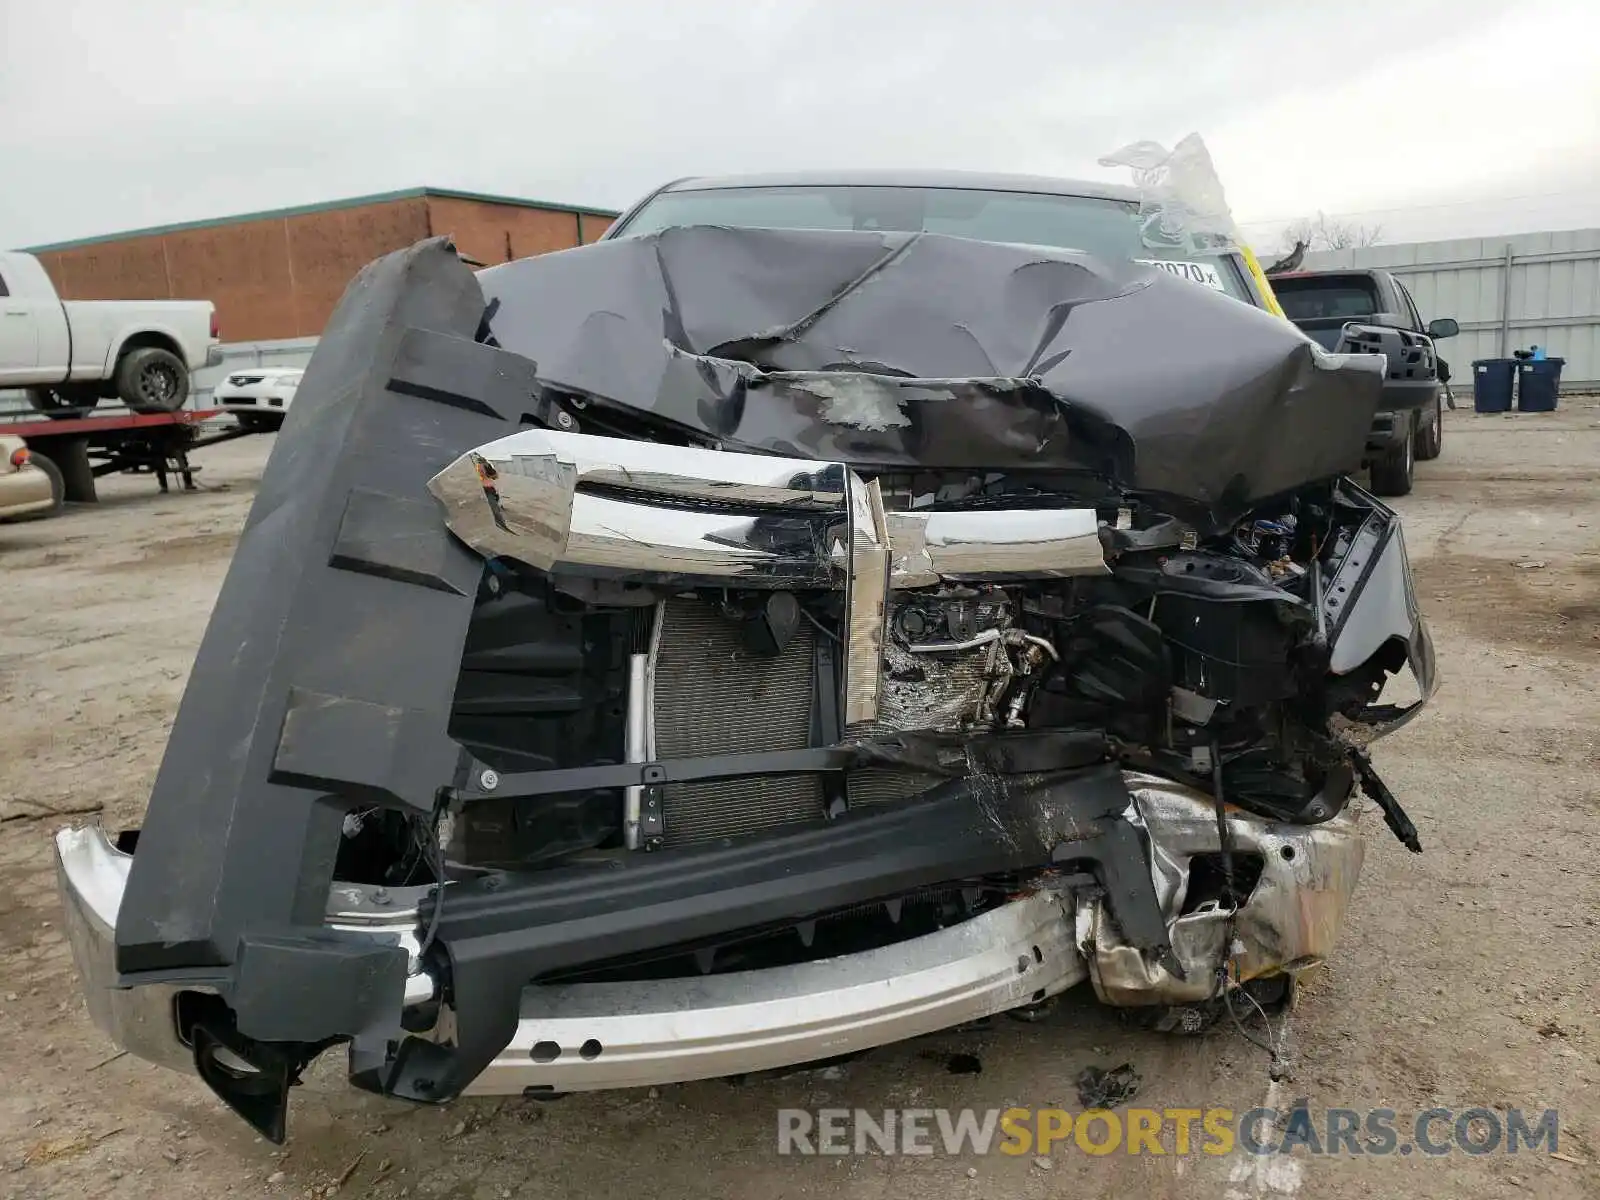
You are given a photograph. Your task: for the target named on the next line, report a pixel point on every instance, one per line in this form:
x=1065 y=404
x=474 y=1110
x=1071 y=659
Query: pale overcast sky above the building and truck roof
x=1425 y=118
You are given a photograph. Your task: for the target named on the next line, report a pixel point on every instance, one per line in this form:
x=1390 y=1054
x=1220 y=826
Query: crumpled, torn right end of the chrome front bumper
x=1290 y=922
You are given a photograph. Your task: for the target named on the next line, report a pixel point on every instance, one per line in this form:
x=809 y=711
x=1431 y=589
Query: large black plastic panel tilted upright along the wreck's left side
x=346 y=606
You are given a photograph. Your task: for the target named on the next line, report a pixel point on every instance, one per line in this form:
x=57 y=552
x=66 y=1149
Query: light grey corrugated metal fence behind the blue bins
x=1508 y=294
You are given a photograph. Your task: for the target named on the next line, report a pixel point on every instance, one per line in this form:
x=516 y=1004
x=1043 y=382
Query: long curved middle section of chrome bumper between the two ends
x=588 y=1038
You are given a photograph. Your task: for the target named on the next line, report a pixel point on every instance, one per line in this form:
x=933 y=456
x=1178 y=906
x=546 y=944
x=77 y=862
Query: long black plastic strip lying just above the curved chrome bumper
x=503 y=932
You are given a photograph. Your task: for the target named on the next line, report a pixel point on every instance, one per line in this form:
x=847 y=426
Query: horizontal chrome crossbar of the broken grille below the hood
x=690 y=516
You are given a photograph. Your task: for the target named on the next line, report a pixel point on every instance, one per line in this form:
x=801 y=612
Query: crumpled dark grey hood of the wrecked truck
x=938 y=353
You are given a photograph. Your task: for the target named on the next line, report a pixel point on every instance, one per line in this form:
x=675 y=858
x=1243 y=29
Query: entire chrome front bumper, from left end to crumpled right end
x=582 y=1038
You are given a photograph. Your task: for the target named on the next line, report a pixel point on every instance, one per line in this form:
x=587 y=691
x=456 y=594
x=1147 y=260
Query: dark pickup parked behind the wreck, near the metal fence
x=1372 y=311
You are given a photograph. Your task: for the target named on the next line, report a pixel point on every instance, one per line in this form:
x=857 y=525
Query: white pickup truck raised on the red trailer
x=73 y=354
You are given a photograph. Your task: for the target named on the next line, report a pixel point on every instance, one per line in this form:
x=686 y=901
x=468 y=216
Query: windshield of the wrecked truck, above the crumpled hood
x=1105 y=228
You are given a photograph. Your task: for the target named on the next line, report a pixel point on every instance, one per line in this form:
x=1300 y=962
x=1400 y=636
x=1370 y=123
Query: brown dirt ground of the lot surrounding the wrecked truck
x=1466 y=977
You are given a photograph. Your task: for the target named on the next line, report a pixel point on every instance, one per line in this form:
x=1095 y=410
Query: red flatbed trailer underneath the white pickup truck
x=138 y=444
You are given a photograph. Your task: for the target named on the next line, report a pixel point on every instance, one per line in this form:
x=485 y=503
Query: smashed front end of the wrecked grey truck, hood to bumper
x=727 y=649
